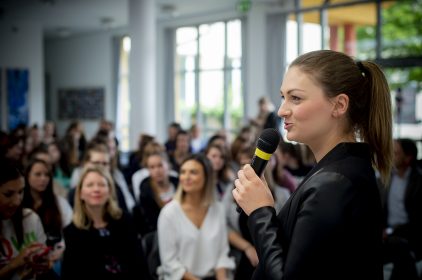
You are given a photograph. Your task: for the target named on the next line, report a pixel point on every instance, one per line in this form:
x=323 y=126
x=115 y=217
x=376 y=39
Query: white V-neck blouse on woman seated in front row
x=184 y=247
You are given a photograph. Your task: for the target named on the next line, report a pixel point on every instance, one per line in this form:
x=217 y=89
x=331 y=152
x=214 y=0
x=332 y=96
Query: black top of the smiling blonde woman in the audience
x=109 y=253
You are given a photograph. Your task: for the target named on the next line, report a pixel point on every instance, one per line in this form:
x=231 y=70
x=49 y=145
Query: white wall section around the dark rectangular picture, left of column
x=81 y=61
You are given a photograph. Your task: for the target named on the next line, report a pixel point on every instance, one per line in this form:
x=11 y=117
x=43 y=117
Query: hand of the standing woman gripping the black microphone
x=251 y=192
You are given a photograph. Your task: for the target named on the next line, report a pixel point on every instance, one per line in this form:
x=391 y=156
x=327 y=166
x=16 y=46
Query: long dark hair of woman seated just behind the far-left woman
x=49 y=211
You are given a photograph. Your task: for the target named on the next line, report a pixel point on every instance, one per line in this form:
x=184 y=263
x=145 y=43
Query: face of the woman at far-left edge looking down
x=11 y=195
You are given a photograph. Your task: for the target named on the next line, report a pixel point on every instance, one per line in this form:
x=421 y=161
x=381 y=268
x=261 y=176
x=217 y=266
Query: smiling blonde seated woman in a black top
x=100 y=241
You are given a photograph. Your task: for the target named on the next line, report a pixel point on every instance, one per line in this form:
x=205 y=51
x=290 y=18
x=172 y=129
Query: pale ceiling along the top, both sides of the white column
x=67 y=17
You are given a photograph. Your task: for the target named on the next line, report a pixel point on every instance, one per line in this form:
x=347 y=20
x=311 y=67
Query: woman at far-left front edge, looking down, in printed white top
x=23 y=253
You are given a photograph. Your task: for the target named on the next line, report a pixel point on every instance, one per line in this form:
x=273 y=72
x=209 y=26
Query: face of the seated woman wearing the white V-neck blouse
x=192 y=177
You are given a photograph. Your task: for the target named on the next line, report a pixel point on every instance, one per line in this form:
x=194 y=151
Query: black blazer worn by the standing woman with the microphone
x=331 y=226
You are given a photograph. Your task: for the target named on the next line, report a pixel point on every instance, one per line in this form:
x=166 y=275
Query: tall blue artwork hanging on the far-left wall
x=17 y=81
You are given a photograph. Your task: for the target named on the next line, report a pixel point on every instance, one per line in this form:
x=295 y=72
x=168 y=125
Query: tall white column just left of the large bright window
x=142 y=89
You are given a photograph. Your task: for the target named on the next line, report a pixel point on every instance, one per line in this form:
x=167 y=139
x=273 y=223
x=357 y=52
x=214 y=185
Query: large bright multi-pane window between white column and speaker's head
x=208 y=88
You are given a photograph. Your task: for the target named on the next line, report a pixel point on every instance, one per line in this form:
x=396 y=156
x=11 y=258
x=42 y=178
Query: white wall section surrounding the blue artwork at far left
x=22 y=47
